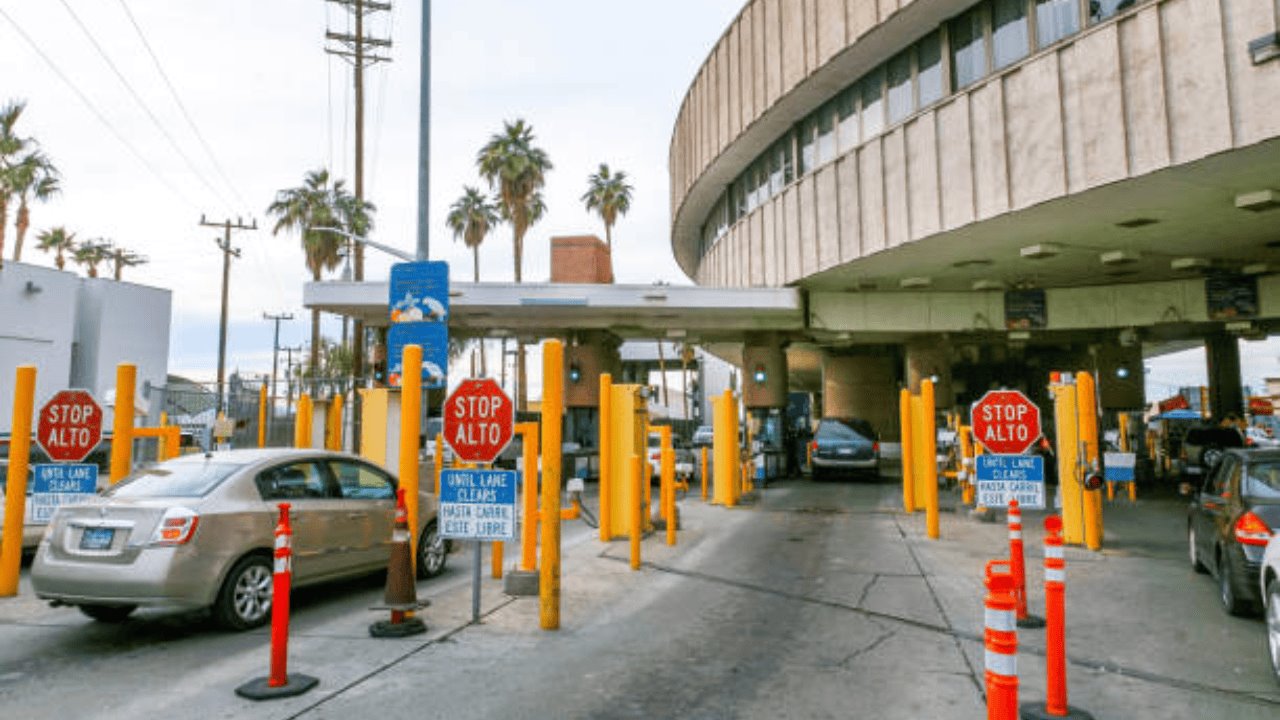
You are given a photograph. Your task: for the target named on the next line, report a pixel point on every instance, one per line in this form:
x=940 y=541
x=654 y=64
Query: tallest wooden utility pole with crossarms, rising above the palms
x=354 y=48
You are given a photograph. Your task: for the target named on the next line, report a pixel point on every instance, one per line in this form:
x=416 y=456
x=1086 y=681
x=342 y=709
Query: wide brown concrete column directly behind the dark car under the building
x=866 y=388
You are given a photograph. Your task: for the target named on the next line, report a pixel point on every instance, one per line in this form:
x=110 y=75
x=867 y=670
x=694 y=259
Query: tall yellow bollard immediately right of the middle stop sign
x=554 y=411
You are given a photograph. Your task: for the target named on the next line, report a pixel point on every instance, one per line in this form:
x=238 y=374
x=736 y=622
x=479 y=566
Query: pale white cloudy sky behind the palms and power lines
x=601 y=81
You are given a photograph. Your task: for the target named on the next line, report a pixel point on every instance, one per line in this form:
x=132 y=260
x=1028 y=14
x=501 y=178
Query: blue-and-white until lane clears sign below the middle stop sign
x=478 y=505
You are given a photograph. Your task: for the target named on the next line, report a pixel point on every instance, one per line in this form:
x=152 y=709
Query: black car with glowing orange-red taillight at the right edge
x=1231 y=521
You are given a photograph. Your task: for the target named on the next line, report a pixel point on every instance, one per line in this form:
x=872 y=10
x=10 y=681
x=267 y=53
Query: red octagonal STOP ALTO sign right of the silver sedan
x=478 y=421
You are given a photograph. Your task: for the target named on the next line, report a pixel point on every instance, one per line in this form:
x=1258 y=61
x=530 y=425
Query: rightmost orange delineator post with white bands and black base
x=1055 y=634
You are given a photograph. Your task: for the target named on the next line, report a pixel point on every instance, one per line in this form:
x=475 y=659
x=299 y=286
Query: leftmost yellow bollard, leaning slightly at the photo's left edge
x=16 y=482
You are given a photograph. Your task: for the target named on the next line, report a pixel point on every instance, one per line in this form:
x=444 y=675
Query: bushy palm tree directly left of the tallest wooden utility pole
x=303 y=209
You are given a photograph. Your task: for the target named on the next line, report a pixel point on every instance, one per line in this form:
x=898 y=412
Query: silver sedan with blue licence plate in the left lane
x=199 y=532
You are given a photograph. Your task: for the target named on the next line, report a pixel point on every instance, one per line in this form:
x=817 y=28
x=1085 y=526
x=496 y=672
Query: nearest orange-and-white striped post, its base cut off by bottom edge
x=1000 y=637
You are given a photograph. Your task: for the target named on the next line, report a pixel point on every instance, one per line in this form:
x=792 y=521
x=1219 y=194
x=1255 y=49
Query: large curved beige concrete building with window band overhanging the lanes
x=986 y=192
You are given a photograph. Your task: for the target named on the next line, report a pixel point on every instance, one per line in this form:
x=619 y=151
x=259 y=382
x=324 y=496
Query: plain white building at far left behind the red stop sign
x=76 y=331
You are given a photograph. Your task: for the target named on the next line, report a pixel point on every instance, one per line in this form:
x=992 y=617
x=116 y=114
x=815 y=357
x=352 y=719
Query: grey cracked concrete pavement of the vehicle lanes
x=819 y=600
